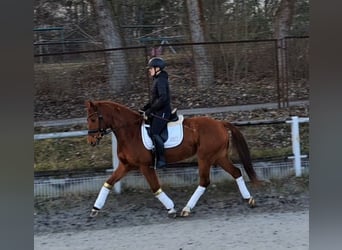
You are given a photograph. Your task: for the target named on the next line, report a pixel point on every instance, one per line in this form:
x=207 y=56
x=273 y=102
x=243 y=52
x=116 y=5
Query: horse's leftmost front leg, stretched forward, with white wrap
x=120 y=172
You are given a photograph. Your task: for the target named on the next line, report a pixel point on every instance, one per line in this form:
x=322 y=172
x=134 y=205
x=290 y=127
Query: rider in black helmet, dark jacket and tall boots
x=158 y=110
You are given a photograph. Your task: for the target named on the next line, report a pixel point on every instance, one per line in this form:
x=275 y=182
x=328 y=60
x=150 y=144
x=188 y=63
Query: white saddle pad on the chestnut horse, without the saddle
x=175 y=131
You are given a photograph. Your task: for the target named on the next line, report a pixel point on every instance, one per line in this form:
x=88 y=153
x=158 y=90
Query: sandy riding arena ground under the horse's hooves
x=221 y=219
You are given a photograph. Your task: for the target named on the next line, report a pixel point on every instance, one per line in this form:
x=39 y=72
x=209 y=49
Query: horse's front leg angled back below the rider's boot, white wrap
x=152 y=179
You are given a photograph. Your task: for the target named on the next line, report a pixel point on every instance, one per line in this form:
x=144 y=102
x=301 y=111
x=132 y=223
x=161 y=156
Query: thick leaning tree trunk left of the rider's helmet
x=118 y=76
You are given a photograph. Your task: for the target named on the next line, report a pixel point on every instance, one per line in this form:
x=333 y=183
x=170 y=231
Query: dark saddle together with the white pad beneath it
x=172 y=136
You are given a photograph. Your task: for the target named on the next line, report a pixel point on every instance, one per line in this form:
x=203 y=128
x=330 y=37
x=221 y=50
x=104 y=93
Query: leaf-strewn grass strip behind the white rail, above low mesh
x=75 y=154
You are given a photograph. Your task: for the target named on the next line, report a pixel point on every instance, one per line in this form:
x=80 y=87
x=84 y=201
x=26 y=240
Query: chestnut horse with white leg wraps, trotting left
x=204 y=136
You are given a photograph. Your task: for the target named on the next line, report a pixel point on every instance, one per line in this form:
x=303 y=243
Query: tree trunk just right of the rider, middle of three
x=203 y=63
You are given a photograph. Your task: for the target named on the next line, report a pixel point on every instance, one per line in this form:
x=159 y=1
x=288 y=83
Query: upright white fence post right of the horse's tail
x=296 y=145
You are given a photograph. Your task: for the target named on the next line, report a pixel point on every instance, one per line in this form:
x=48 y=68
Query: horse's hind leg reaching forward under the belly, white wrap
x=204 y=171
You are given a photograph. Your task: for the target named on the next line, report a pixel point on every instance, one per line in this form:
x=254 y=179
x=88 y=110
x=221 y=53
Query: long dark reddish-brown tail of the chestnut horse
x=240 y=144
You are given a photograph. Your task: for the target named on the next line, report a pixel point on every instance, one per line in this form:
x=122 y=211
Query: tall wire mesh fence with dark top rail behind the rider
x=241 y=72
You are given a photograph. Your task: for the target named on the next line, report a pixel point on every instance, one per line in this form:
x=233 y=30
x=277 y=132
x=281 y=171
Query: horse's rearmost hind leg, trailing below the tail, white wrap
x=228 y=166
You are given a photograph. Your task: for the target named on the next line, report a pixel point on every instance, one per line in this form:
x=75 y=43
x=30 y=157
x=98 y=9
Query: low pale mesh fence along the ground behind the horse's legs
x=46 y=187
